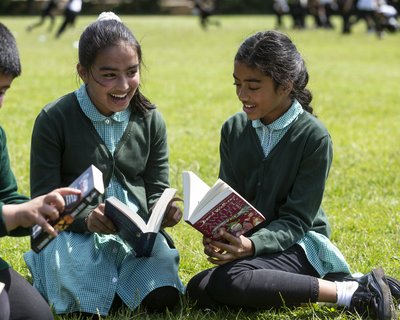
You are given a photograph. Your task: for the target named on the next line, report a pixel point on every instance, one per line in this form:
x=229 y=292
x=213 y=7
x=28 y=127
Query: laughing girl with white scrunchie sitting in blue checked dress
x=107 y=122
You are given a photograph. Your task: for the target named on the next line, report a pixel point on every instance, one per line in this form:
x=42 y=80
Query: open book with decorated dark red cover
x=220 y=207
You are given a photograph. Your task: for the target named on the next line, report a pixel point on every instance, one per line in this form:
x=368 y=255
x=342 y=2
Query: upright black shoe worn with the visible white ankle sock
x=373 y=297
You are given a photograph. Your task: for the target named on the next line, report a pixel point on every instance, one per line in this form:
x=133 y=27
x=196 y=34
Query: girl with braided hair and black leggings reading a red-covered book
x=277 y=155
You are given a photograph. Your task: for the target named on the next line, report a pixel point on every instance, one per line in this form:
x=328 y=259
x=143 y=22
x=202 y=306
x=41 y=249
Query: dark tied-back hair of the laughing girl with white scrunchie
x=102 y=34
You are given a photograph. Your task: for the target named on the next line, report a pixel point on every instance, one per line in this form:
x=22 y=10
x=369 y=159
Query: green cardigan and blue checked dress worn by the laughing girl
x=80 y=271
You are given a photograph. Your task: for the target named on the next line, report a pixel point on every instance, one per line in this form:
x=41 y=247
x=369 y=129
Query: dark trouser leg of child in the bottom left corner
x=21 y=299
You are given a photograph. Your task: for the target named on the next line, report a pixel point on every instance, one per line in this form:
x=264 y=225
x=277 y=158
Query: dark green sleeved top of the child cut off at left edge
x=8 y=192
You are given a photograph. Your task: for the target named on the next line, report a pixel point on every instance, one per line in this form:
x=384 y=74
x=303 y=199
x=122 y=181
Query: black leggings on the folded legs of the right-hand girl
x=270 y=280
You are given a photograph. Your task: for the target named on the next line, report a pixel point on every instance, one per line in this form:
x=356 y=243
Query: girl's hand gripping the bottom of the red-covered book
x=220 y=252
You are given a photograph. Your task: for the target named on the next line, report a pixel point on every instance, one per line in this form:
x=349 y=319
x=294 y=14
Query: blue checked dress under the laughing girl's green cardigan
x=83 y=272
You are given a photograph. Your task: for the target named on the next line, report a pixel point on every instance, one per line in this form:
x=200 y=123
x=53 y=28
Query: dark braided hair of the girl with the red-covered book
x=274 y=54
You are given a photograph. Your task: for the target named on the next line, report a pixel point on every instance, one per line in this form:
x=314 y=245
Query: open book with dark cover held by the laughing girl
x=138 y=234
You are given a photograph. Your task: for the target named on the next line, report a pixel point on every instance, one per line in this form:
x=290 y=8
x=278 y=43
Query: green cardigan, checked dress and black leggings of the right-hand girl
x=281 y=168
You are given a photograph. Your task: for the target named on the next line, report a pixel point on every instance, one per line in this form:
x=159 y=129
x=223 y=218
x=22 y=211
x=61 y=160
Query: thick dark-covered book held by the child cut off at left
x=91 y=184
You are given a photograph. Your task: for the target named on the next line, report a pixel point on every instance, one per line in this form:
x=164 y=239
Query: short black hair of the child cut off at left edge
x=10 y=63
